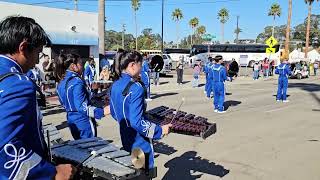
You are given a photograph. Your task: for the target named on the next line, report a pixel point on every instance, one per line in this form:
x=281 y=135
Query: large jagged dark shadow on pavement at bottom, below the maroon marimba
x=189 y=165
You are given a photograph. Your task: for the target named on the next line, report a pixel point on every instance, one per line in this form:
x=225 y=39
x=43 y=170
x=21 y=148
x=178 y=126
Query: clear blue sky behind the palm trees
x=253 y=14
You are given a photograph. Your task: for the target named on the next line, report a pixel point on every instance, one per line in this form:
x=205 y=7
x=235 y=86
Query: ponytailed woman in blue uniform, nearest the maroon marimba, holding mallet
x=127 y=103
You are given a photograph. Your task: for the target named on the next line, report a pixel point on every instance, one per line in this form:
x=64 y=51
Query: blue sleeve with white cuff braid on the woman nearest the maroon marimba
x=137 y=120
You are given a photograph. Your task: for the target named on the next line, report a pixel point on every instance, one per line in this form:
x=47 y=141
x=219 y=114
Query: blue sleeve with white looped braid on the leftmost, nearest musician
x=17 y=160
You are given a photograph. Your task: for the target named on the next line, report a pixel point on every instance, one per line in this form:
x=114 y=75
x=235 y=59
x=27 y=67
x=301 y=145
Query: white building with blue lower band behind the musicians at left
x=69 y=30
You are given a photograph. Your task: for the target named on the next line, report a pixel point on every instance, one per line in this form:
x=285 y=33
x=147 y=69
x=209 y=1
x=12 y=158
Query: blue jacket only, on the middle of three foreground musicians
x=75 y=98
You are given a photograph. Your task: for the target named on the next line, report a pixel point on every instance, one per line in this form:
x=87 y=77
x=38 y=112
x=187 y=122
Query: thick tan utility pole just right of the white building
x=101 y=26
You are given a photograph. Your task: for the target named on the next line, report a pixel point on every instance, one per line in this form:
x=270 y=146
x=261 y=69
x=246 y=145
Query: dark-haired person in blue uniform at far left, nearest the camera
x=23 y=151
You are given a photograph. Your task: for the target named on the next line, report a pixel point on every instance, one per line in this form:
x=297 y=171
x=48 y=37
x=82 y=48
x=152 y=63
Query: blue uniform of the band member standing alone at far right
x=284 y=72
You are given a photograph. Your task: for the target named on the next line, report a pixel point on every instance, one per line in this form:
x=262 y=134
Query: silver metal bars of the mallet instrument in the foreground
x=109 y=163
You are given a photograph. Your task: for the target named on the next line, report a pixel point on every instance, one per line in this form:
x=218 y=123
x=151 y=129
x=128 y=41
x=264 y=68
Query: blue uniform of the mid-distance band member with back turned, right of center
x=219 y=74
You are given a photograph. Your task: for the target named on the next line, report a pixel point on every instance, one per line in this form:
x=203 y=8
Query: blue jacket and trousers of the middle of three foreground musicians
x=75 y=98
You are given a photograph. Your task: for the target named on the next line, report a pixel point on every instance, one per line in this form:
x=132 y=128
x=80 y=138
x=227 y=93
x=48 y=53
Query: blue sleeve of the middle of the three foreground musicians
x=82 y=104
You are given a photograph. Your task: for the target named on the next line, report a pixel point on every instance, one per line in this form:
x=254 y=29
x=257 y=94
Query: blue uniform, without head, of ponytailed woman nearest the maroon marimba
x=127 y=106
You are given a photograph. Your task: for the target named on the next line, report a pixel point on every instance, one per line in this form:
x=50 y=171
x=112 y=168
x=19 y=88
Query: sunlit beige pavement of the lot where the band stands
x=258 y=138
